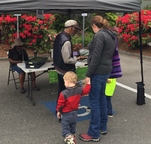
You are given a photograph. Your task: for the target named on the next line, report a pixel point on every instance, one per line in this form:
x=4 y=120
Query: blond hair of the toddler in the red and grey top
x=70 y=76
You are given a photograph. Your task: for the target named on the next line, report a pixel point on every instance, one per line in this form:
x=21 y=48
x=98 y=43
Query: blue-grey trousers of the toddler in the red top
x=69 y=122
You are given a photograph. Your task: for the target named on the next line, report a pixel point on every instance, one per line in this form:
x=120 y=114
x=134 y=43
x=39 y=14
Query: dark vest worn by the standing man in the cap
x=57 y=56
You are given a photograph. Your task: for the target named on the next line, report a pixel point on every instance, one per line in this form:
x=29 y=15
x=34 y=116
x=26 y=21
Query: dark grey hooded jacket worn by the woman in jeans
x=101 y=50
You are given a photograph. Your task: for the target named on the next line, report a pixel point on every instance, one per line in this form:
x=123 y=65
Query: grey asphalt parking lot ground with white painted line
x=23 y=123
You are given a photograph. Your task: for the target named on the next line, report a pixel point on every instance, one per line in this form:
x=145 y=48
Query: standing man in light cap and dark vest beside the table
x=63 y=52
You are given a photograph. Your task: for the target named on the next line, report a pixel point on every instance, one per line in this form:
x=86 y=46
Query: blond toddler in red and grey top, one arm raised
x=68 y=103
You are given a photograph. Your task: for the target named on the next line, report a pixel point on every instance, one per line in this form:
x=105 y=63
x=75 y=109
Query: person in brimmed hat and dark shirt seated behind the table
x=17 y=55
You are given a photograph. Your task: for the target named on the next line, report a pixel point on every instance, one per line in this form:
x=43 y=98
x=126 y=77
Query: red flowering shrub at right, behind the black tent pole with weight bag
x=128 y=27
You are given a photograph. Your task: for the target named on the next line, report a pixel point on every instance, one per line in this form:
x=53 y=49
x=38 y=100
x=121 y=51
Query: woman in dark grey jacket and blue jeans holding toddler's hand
x=101 y=50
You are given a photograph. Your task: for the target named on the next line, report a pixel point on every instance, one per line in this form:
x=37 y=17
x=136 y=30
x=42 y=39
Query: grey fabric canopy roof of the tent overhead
x=68 y=6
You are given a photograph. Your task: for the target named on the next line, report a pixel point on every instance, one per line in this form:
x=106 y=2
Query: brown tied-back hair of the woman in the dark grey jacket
x=100 y=22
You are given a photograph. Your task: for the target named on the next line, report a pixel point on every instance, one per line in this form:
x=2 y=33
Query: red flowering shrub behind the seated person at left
x=34 y=32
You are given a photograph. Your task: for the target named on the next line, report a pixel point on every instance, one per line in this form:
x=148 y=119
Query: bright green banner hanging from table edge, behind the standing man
x=80 y=71
